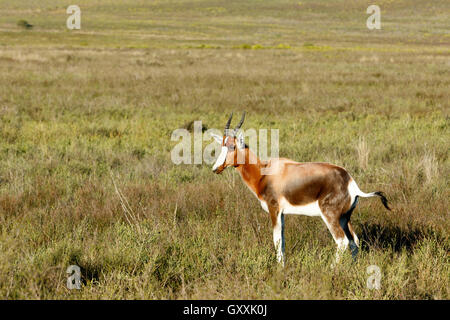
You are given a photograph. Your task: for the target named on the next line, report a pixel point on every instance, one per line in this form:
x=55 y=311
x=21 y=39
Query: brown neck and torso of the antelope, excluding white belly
x=300 y=184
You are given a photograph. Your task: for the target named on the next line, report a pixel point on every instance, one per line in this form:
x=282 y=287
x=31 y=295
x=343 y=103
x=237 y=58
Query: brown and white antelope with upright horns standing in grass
x=299 y=188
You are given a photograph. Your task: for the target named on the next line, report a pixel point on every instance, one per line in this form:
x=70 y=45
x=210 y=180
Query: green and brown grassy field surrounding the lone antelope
x=86 y=118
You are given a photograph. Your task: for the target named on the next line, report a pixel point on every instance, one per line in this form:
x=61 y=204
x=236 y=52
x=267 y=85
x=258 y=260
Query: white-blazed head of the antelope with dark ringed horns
x=232 y=144
